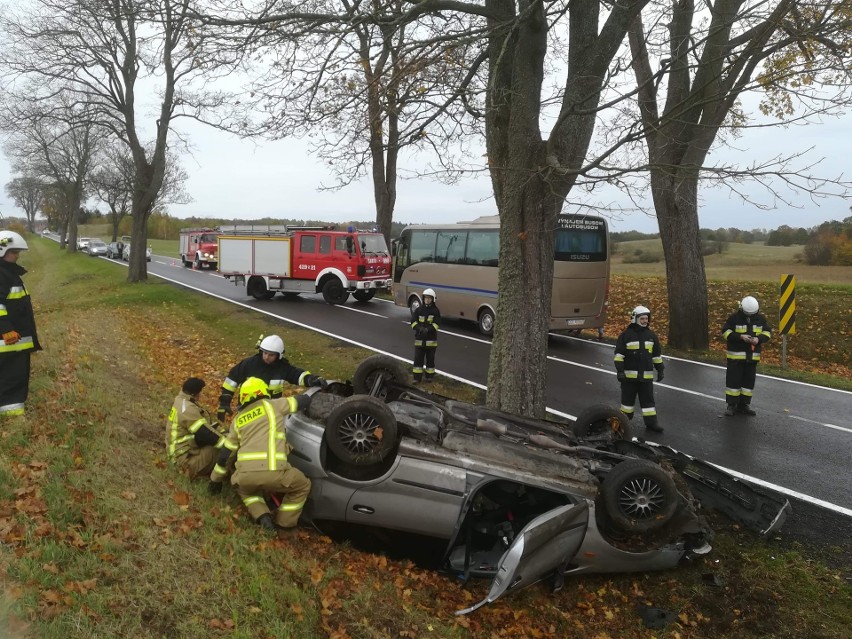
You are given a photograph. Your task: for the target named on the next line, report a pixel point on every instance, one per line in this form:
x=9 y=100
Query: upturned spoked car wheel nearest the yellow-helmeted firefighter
x=361 y=431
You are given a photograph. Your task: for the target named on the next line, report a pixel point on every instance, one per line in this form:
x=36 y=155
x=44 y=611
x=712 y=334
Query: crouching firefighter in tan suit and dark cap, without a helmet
x=192 y=436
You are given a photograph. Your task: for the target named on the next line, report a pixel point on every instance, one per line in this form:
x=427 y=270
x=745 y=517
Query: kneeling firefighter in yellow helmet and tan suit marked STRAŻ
x=259 y=438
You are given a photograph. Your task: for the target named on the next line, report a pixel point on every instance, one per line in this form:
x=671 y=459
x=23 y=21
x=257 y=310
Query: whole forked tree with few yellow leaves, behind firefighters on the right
x=706 y=60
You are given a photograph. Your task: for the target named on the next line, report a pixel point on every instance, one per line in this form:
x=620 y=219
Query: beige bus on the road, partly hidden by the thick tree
x=460 y=261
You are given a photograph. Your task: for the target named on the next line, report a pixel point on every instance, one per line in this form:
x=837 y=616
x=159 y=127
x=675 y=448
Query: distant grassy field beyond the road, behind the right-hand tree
x=753 y=262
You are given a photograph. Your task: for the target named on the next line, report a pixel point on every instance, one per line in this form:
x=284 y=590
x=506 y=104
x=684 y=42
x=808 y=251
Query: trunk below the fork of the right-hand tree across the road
x=676 y=203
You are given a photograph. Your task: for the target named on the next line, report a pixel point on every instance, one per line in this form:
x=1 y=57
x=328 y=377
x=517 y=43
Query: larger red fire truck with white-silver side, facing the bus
x=295 y=260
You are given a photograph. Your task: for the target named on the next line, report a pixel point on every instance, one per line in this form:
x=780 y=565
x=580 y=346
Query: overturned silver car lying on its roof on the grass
x=517 y=500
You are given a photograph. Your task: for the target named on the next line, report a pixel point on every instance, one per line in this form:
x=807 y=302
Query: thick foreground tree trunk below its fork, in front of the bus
x=523 y=303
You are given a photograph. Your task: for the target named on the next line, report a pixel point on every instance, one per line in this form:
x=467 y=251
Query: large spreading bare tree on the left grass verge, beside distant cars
x=112 y=54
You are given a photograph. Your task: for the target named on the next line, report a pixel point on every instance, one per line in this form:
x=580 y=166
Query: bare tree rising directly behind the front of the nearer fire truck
x=364 y=86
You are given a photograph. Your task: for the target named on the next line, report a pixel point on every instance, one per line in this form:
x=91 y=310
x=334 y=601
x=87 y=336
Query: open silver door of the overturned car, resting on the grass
x=545 y=544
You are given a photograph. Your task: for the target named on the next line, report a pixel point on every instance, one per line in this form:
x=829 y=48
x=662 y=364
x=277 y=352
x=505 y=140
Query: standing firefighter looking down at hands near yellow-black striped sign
x=745 y=332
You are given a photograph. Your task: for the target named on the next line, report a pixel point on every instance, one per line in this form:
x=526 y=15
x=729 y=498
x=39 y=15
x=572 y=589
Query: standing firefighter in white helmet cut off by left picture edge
x=18 y=337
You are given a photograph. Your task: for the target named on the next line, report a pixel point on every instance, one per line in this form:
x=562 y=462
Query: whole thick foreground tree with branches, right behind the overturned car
x=531 y=172
